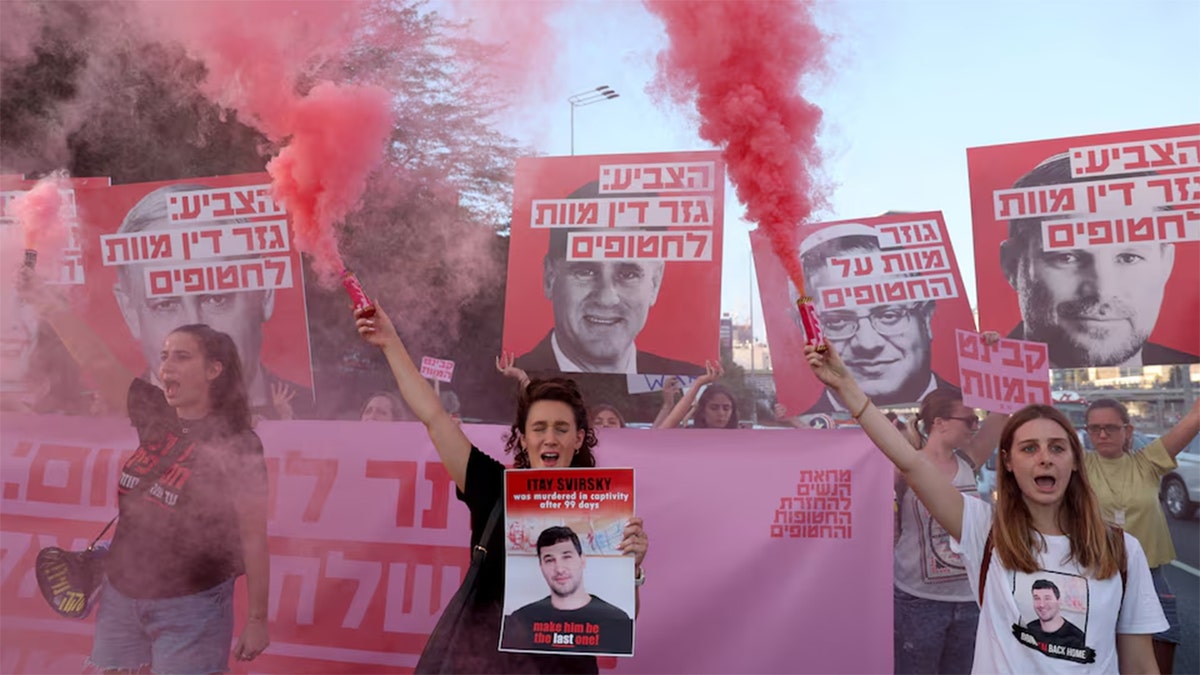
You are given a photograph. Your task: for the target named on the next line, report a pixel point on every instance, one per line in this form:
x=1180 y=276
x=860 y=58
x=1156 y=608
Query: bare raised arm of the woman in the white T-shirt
x=937 y=492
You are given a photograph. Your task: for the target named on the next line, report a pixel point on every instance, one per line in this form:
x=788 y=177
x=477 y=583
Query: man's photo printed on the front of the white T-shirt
x=1053 y=616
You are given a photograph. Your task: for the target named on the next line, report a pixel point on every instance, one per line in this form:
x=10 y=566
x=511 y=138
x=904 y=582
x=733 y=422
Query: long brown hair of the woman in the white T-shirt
x=1094 y=545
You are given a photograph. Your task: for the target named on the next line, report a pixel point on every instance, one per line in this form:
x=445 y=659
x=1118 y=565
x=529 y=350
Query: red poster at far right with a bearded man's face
x=1089 y=244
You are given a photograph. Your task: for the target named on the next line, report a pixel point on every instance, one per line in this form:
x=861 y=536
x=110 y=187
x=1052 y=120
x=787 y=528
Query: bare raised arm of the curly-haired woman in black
x=452 y=444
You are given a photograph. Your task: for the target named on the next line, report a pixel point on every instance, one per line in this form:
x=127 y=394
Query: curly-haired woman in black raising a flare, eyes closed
x=551 y=431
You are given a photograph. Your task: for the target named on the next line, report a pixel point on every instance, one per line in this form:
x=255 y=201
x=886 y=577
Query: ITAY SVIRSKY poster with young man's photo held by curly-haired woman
x=568 y=589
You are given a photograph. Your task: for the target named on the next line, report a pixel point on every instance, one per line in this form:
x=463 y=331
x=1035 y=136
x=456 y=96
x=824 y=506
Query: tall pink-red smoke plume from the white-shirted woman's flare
x=742 y=64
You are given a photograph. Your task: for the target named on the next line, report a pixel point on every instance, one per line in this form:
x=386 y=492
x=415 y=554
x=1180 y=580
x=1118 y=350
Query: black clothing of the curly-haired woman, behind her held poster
x=481 y=643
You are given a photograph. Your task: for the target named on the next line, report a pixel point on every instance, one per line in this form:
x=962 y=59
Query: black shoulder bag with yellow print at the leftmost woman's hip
x=69 y=581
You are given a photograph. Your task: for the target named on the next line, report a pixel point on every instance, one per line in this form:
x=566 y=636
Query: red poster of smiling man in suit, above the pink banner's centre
x=615 y=264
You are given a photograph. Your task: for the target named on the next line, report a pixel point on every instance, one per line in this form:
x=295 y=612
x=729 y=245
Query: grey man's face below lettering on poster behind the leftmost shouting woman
x=152 y=319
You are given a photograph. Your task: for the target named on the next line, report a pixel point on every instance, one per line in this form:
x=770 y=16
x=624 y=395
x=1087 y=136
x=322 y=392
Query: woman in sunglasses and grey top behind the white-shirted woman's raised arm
x=935 y=611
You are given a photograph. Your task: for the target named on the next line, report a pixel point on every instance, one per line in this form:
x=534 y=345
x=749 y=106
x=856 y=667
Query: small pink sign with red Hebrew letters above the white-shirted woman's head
x=1005 y=377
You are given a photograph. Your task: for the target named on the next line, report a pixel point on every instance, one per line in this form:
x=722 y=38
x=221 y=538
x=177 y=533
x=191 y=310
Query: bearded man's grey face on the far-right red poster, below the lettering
x=1094 y=307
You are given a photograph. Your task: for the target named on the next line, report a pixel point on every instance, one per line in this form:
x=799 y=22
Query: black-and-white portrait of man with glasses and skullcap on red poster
x=887 y=347
